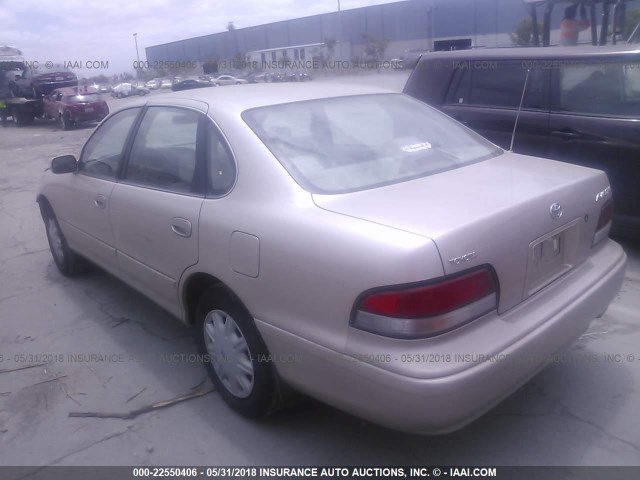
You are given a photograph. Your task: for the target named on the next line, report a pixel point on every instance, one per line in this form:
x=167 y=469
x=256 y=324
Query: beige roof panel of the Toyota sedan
x=242 y=97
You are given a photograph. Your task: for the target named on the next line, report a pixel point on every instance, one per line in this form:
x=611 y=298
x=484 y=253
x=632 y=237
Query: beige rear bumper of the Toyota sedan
x=442 y=404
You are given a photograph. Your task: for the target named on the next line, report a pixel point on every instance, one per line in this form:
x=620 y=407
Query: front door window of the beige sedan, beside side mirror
x=103 y=152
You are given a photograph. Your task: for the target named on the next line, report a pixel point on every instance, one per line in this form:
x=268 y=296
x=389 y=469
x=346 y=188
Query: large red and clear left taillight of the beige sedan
x=428 y=309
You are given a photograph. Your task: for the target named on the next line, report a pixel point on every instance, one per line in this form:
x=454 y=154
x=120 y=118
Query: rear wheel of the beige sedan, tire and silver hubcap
x=245 y=379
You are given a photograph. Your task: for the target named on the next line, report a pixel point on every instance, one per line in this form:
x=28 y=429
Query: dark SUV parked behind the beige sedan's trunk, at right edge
x=581 y=105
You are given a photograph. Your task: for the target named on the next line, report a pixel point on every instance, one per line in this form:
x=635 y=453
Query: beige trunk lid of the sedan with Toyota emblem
x=532 y=220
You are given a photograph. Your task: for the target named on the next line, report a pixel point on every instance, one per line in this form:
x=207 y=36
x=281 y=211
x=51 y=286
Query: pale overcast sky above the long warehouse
x=81 y=30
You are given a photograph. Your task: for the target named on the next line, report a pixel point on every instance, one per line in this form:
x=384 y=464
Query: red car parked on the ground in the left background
x=73 y=105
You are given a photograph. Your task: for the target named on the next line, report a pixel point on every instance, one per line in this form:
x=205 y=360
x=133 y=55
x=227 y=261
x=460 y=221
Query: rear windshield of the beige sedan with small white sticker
x=345 y=144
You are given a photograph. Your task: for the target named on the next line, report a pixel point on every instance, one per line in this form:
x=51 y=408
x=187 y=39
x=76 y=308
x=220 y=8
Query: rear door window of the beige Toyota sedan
x=164 y=150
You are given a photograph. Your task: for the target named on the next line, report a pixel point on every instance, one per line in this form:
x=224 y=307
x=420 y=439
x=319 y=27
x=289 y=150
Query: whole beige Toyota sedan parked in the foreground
x=351 y=243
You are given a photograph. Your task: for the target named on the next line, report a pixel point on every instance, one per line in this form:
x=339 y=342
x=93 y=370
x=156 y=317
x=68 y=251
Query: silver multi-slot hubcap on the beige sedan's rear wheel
x=229 y=353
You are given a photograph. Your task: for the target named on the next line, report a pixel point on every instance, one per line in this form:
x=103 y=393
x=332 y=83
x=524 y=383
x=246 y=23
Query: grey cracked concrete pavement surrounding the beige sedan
x=582 y=410
